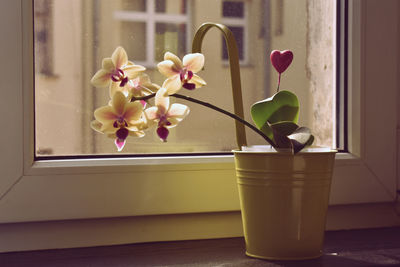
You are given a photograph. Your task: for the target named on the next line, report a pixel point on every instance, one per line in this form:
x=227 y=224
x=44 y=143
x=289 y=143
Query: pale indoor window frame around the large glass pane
x=34 y=191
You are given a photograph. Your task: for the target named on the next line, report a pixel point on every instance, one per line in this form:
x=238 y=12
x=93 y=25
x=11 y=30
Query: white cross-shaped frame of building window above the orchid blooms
x=150 y=18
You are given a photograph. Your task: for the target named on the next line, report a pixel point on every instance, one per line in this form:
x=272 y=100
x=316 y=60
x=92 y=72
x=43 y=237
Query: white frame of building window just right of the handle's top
x=240 y=22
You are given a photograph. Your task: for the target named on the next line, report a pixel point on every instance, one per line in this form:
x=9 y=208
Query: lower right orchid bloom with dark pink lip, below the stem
x=165 y=115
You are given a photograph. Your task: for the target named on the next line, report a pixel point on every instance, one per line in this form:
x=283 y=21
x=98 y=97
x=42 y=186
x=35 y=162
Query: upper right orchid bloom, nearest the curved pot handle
x=182 y=74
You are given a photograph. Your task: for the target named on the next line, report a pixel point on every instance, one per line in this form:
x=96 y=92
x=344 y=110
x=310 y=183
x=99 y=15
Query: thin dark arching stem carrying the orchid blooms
x=206 y=104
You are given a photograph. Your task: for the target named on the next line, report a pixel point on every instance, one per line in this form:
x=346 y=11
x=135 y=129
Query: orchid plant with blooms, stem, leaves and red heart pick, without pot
x=129 y=112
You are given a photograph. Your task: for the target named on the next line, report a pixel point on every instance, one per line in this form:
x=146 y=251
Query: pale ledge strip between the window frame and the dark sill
x=140 y=229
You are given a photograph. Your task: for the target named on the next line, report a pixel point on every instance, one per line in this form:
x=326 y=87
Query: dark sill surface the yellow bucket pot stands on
x=370 y=247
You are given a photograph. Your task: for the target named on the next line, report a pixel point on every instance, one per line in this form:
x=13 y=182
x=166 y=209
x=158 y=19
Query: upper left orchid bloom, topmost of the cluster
x=116 y=69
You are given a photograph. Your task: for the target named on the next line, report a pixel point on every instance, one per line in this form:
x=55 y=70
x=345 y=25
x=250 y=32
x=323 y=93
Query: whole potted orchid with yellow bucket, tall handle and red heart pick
x=283 y=192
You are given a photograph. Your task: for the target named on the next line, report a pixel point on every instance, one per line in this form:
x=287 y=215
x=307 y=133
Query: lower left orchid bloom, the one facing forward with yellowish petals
x=120 y=119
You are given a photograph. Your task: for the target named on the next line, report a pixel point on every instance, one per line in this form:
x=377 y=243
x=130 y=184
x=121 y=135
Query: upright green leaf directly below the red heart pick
x=281 y=107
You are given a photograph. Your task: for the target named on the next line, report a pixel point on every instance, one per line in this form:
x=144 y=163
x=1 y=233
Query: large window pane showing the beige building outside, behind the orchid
x=72 y=38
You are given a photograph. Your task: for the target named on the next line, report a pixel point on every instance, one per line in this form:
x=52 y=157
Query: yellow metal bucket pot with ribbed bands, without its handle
x=284 y=200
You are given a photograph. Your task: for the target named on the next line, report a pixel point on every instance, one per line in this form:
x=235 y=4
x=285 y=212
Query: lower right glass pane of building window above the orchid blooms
x=170 y=37
